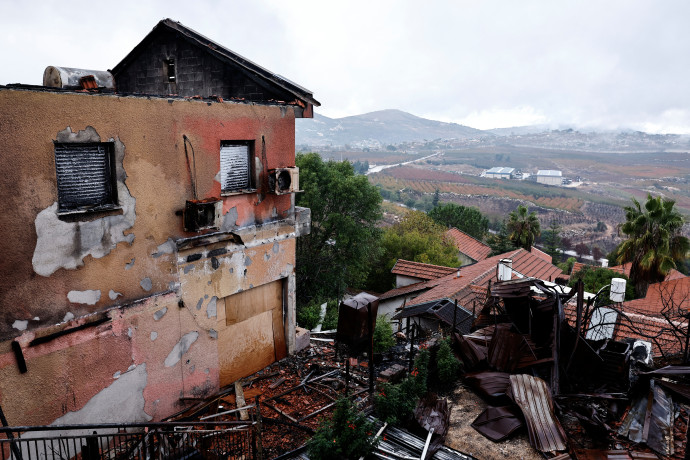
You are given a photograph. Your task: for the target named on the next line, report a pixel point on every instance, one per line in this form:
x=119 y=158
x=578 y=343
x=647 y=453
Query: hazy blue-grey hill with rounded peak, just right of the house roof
x=377 y=129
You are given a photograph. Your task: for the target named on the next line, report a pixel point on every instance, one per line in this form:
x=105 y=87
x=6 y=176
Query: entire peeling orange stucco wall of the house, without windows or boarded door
x=163 y=312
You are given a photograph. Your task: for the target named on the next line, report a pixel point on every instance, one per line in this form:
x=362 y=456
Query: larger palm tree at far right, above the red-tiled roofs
x=654 y=241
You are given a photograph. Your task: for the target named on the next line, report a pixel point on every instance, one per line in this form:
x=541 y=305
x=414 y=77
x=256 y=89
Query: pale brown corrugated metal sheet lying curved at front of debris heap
x=533 y=396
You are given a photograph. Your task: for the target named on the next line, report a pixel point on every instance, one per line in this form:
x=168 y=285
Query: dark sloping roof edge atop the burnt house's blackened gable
x=221 y=53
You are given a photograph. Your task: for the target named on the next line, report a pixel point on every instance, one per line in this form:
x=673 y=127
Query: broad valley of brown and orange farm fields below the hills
x=609 y=179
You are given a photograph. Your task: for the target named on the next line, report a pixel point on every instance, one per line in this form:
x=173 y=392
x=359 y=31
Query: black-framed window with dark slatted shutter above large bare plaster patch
x=85 y=177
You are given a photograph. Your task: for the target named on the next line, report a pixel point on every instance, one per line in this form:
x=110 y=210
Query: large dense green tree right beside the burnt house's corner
x=345 y=209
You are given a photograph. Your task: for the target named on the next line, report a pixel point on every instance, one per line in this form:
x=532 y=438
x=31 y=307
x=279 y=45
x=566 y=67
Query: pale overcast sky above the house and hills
x=486 y=64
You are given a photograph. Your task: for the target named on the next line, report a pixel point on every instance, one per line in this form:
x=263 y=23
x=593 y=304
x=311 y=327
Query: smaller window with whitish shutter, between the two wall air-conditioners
x=236 y=167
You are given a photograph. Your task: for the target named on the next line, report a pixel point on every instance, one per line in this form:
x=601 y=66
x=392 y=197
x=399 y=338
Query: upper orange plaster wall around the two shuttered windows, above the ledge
x=151 y=150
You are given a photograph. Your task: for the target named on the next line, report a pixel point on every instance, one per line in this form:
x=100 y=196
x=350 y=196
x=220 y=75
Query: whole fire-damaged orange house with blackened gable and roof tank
x=150 y=231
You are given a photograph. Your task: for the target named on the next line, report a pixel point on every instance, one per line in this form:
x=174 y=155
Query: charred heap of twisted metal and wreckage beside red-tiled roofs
x=544 y=361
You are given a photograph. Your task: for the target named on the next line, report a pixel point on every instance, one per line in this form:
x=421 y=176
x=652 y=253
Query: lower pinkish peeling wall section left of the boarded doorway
x=77 y=373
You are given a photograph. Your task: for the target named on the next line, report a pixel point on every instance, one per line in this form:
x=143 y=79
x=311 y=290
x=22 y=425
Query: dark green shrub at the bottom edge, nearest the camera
x=346 y=435
